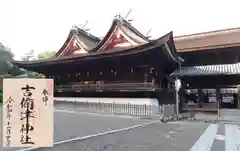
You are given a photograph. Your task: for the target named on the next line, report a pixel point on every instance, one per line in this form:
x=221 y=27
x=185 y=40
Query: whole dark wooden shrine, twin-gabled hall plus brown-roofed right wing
x=125 y=63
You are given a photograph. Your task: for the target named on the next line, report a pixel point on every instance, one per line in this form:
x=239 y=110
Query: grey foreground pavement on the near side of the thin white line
x=178 y=136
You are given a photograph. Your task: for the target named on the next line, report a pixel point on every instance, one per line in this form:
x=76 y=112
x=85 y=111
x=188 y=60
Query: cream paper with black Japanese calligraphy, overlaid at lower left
x=27 y=113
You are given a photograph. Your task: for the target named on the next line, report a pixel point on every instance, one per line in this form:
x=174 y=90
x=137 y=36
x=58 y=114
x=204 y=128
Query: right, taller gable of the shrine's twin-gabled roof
x=121 y=27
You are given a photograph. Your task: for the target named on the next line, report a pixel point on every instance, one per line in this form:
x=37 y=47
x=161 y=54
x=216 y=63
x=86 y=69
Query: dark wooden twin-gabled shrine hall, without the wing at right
x=123 y=63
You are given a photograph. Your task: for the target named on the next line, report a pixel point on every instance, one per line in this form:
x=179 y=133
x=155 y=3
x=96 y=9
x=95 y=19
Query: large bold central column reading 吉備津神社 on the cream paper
x=27 y=104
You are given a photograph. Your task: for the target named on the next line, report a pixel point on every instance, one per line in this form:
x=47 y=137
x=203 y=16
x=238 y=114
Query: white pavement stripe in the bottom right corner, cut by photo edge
x=232 y=142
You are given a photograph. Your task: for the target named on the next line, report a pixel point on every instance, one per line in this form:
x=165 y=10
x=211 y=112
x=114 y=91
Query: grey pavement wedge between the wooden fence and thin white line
x=71 y=125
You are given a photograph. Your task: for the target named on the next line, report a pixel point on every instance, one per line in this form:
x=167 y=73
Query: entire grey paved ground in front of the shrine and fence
x=175 y=136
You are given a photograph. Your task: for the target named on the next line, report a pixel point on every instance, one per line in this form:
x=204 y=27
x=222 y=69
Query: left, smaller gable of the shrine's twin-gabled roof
x=77 y=40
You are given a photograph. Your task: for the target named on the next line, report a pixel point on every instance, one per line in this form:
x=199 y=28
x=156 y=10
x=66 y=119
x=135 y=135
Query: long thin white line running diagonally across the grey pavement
x=96 y=135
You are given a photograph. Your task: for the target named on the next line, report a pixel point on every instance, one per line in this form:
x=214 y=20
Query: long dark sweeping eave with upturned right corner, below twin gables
x=166 y=42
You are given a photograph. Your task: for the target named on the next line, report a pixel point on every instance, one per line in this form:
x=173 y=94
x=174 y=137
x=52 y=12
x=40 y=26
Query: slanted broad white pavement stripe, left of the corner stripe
x=204 y=143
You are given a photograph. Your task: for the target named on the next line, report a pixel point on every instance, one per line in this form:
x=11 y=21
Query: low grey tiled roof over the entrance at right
x=208 y=70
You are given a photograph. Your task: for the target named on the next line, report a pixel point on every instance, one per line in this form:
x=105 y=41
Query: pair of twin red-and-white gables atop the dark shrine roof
x=120 y=34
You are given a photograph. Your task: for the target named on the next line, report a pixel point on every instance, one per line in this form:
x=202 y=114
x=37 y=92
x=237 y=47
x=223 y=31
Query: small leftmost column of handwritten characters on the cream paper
x=8 y=104
